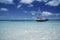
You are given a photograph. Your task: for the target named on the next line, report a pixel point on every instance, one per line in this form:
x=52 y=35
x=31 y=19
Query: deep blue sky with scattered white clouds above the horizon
x=27 y=9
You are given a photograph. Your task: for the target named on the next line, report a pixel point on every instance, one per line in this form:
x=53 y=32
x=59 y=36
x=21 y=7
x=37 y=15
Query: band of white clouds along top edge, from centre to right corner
x=48 y=2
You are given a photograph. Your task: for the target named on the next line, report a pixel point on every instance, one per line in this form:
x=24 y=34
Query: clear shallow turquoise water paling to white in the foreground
x=29 y=30
